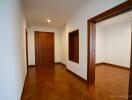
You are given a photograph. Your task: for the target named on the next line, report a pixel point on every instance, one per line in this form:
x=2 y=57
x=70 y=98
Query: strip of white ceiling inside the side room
x=118 y=19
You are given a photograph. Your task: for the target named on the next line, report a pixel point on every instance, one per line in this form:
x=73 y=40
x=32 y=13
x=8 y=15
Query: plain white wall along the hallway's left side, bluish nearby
x=12 y=50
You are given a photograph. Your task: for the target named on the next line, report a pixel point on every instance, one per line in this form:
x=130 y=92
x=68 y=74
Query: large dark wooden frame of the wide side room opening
x=122 y=8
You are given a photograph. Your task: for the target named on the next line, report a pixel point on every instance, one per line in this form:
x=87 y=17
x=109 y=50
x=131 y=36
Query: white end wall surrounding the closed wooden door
x=31 y=46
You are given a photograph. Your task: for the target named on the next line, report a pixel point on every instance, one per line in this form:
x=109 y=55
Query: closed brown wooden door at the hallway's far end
x=44 y=48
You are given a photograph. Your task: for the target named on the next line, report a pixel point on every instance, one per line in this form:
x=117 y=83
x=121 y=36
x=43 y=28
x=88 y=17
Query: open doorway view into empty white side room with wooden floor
x=113 y=48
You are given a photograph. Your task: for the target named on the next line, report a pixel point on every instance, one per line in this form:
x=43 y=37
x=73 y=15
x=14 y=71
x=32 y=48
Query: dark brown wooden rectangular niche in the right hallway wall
x=74 y=46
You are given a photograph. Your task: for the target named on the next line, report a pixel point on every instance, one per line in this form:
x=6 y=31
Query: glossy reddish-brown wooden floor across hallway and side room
x=56 y=83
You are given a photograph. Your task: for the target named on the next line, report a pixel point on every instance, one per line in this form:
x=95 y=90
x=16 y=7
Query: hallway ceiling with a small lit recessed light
x=38 y=11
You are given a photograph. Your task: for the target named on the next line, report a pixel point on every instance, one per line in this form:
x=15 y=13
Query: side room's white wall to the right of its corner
x=118 y=44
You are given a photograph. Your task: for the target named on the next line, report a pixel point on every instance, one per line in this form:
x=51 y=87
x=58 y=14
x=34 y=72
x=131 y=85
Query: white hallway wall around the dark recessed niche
x=79 y=21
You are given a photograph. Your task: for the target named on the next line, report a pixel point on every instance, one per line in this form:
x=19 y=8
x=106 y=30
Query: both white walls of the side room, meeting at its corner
x=116 y=44
